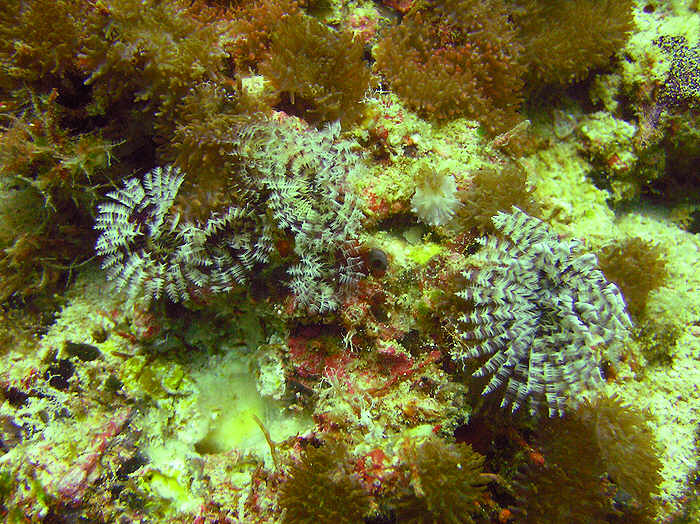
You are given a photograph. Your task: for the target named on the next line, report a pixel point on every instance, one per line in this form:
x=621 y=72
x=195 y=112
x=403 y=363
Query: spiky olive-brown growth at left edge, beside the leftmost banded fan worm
x=46 y=193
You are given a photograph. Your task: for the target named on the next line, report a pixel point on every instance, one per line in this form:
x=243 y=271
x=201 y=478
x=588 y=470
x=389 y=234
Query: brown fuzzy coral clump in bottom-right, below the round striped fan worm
x=600 y=466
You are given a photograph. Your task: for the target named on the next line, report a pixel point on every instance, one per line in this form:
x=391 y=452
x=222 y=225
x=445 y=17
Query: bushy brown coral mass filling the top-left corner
x=120 y=65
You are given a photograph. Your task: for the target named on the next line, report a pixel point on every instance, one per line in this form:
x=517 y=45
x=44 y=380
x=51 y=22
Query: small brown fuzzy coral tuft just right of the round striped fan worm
x=637 y=266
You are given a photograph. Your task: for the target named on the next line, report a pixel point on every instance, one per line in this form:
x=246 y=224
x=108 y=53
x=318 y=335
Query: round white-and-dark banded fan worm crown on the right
x=539 y=307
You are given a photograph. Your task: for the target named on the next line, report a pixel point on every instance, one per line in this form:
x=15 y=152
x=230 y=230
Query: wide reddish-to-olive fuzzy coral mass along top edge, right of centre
x=474 y=59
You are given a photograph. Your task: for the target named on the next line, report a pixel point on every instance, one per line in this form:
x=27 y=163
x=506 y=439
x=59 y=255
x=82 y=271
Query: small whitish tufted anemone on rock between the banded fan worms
x=435 y=200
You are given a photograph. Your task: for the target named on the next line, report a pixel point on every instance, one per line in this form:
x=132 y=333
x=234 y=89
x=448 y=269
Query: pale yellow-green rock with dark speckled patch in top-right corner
x=655 y=91
